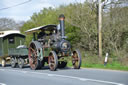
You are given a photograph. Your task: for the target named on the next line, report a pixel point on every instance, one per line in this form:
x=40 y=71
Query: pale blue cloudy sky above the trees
x=25 y=11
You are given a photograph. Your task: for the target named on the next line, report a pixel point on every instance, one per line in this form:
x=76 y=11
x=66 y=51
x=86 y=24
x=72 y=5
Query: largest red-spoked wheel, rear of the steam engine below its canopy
x=33 y=58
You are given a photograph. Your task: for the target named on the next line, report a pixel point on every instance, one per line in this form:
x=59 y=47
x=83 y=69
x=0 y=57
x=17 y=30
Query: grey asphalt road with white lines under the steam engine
x=67 y=76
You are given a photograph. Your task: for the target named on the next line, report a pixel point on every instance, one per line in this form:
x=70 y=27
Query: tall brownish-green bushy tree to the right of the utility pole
x=115 y=30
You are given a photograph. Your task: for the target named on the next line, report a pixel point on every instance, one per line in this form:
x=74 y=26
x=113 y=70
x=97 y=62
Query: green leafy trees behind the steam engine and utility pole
x=81 y=26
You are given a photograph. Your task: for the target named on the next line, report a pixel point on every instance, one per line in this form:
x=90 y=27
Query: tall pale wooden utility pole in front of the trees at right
x=100 y=27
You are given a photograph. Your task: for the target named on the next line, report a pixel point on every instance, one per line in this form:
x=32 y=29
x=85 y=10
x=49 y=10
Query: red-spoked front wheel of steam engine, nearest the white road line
x=53 y=61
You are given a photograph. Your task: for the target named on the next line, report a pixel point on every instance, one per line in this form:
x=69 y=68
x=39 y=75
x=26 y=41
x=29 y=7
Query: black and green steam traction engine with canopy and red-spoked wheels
x=49 y=45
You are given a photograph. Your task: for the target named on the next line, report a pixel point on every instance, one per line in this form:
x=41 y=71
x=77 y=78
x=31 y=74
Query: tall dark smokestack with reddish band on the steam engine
x=62 y=27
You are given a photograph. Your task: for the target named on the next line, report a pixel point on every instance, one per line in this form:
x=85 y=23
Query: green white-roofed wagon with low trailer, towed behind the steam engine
x=12 y=48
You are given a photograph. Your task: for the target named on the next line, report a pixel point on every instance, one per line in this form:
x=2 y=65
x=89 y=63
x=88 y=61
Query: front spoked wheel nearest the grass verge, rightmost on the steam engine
x=76 y=59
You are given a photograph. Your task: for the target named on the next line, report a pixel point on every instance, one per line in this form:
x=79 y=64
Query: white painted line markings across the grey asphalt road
x=64 y=76
